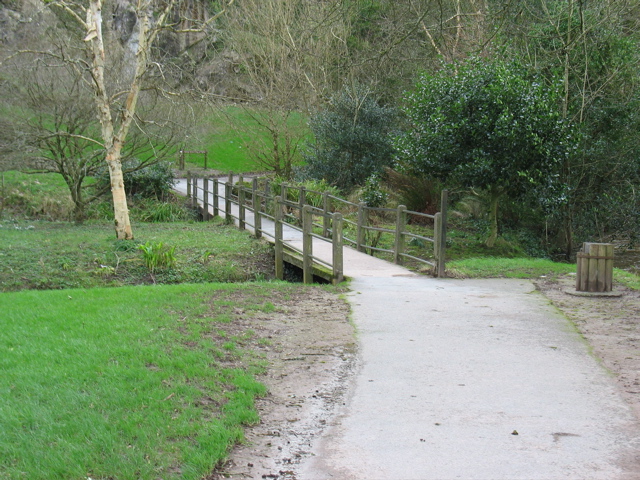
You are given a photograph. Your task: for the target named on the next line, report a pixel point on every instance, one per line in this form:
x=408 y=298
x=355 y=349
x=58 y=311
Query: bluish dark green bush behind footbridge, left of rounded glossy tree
x=351 y=139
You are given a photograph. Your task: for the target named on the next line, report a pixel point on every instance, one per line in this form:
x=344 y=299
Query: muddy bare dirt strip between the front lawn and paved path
x=309 y=344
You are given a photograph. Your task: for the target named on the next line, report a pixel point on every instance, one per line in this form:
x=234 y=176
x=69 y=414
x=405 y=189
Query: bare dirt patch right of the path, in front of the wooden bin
x=611 y=325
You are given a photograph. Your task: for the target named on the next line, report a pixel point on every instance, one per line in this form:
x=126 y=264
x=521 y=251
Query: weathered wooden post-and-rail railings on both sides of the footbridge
x=299 y=208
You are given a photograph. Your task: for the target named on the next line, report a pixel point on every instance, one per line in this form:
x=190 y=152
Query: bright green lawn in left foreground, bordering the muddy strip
x=136 y=382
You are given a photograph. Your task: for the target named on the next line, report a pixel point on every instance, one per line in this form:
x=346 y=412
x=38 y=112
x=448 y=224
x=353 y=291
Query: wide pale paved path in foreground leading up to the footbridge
x=470 y=379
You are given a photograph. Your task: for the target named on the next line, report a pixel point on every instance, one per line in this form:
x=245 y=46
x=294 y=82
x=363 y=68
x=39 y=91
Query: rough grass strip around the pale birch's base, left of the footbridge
x=46 y=255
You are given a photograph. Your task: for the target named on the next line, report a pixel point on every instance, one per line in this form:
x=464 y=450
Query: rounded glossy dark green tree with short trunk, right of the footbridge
x=487 y=125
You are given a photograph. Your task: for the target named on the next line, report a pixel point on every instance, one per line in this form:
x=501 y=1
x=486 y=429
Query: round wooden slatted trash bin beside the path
x=595 y=268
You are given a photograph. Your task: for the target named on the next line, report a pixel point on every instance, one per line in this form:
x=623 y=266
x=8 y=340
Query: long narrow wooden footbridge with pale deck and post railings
x=311 y=229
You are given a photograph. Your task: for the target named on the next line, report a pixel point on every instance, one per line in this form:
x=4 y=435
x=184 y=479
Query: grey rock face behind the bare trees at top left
x=192 y=58
